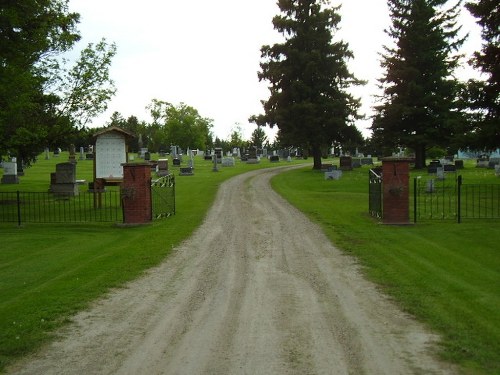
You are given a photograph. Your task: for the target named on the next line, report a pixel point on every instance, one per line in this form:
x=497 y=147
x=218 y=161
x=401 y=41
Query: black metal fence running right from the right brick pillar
x=451 y=199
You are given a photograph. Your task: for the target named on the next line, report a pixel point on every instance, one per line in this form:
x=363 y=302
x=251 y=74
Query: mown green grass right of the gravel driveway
x=445 y=274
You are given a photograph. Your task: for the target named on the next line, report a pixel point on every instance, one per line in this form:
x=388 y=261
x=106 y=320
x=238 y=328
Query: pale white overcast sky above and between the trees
x=207 y=53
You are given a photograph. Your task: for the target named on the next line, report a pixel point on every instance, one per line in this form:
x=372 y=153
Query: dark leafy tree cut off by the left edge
x=31 y=33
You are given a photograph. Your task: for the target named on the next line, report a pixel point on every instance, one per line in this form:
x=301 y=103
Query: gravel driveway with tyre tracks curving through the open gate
x=258 y=289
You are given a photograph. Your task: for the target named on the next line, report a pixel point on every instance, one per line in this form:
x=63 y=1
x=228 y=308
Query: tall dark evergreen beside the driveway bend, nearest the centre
x=308 y=78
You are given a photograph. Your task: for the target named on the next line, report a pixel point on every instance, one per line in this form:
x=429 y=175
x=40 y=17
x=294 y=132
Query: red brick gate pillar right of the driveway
x=396 y=190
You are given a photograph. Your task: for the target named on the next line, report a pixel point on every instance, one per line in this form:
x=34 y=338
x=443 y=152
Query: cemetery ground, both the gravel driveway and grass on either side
x=445 y=274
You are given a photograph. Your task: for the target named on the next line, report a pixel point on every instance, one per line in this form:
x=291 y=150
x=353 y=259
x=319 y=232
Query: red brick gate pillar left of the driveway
x=136 y=193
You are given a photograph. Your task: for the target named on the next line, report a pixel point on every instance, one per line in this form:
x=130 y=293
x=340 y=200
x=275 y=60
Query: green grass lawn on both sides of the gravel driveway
x=446 y=274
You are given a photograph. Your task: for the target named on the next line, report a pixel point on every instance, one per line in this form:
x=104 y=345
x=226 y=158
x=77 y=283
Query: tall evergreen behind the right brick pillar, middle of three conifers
x=418 y=105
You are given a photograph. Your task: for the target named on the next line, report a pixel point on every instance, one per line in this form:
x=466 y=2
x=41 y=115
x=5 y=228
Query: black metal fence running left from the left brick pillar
x=45 y=207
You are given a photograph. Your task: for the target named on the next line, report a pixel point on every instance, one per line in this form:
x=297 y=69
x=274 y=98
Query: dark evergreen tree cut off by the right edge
x=483 y=96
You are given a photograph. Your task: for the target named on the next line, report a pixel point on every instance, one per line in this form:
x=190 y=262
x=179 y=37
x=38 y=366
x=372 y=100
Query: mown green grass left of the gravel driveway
x=48 y=272
